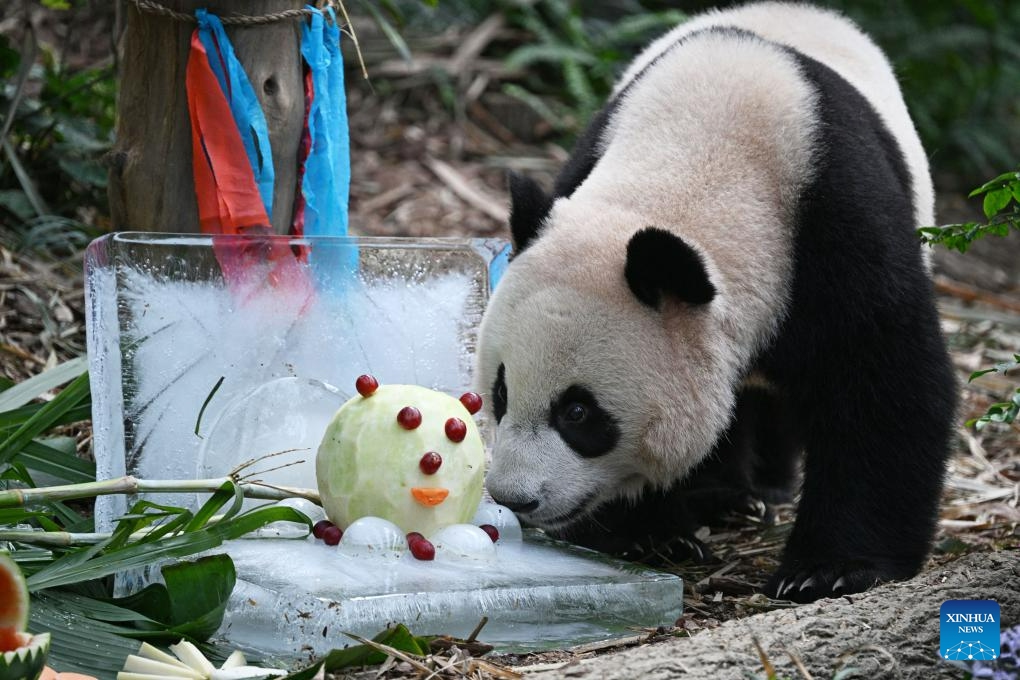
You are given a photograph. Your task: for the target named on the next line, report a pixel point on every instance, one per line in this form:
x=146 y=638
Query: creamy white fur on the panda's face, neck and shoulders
x=557 y=294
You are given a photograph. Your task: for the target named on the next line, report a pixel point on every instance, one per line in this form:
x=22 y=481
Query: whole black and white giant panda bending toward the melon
x=726 y=276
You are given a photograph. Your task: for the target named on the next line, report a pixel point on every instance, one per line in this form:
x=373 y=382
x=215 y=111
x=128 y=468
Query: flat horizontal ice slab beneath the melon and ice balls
x=537 y=594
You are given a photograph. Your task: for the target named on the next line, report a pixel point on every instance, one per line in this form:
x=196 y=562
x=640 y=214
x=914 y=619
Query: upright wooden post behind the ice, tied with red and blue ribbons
x=151 y=183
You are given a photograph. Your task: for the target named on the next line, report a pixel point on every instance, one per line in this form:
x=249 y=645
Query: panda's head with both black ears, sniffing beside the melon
x=601 y=360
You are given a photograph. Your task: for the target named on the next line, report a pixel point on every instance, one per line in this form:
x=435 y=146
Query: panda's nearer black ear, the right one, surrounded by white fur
x=660 y=265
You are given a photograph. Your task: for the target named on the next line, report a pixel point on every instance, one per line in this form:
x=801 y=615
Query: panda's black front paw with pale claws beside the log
x=829 y=581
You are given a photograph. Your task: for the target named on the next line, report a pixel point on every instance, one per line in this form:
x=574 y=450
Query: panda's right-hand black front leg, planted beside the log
x=875 y=397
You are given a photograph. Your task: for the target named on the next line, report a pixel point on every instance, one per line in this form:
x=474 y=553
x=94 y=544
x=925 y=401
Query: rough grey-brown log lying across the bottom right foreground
x=891 y=632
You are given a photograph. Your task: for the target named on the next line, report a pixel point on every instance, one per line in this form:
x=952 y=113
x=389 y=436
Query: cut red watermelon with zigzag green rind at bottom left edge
x=23 y=656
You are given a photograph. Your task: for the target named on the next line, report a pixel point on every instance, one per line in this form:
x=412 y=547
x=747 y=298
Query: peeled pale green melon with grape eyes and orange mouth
x=370 y=465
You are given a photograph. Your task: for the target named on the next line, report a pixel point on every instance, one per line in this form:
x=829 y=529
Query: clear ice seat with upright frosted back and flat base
x=200 y=364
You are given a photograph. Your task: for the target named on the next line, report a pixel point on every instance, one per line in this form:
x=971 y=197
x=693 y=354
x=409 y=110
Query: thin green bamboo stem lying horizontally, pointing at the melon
x=128 y=485
